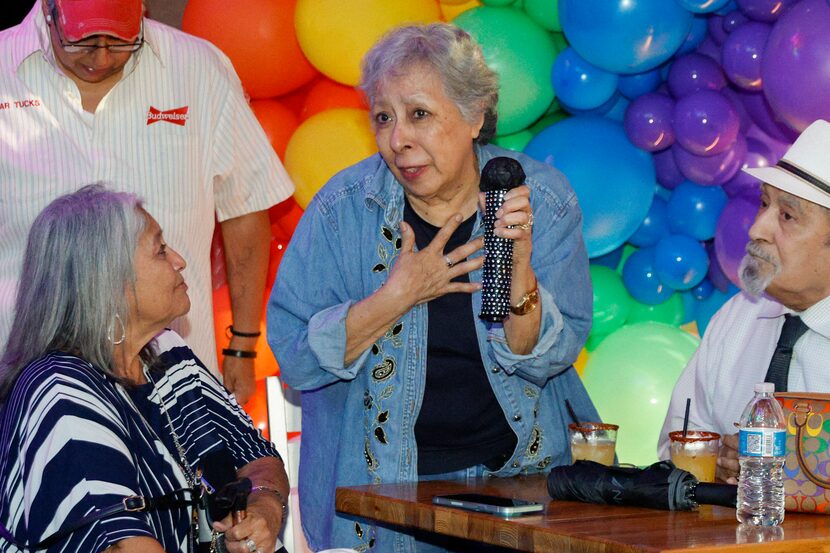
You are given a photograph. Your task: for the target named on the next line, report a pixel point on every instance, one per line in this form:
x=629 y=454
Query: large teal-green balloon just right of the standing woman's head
x=522 y=53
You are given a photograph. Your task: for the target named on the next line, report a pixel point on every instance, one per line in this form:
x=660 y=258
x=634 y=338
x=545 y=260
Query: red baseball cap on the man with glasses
x=80 y=19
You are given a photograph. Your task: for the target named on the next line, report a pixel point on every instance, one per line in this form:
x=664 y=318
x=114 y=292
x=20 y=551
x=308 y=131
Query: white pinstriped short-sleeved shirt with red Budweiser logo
x=176 y=130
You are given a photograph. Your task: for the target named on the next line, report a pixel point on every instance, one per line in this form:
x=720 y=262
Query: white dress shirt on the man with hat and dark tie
x=734 y=356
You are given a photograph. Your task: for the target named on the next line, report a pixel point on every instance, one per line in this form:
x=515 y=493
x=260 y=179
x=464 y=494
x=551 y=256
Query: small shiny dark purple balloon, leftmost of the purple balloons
x=648 y=122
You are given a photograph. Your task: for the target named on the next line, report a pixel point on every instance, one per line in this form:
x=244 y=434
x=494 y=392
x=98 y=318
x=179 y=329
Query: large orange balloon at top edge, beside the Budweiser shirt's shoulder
x=259 y=38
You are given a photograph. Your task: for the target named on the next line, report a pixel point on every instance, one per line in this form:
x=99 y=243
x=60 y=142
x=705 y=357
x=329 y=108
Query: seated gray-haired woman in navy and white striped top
x=99 y=402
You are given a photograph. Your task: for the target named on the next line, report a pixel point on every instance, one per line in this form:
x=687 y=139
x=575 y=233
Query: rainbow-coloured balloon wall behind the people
x=650 y=107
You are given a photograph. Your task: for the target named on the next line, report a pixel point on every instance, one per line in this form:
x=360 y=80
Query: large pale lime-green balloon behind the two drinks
x=630 y=377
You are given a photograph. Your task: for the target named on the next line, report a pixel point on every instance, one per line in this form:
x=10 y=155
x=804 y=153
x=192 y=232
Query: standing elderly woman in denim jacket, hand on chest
x=374 y=315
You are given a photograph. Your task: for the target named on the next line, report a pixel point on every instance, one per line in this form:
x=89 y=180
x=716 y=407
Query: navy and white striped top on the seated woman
x=73 y=441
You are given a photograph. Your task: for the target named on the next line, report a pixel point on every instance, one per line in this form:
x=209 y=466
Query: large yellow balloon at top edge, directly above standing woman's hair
x=334 y=35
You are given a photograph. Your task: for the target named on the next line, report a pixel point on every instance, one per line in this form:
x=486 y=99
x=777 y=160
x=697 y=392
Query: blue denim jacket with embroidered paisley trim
x=359 y=419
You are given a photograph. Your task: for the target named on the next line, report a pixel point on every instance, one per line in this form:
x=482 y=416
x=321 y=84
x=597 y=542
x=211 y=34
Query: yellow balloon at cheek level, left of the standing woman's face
x=324 y=144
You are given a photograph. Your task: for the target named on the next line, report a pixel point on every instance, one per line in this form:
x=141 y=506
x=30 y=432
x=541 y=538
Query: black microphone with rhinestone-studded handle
x=499 y=175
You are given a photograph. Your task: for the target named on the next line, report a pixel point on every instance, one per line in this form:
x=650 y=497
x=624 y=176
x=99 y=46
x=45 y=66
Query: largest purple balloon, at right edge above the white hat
x=795 y=67
